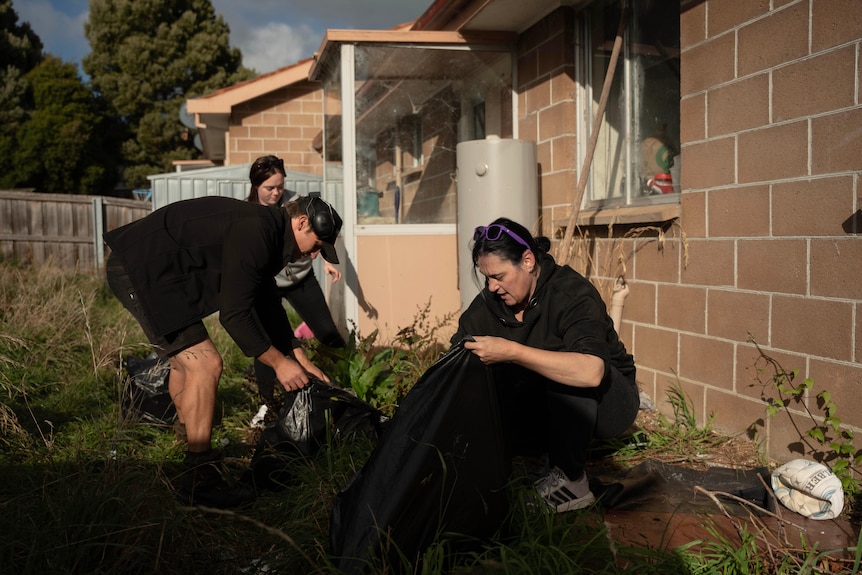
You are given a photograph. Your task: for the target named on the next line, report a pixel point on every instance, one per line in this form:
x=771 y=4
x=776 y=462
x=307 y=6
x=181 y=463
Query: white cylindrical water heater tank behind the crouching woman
x=497 y=177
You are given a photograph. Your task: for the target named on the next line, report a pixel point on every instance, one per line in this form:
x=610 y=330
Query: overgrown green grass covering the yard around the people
x=87 y=489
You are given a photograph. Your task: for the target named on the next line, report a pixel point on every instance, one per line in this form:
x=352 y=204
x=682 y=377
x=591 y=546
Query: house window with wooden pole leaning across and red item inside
x=636 y=160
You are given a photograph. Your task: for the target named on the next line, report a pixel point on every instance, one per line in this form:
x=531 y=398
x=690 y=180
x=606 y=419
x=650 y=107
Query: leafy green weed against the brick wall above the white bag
x=824 y=438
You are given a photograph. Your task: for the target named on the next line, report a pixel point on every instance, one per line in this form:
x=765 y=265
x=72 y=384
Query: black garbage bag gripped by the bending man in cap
x=309 y=418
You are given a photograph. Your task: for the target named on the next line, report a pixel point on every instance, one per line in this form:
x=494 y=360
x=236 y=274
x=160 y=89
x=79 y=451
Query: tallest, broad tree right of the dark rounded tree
x=147 y=57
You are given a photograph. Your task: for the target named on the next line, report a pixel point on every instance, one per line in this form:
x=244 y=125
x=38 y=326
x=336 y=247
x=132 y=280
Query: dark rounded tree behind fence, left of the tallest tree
x=63 y=147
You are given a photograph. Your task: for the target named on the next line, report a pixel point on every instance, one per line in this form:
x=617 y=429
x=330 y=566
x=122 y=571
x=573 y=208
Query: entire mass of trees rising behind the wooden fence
x=60 y=134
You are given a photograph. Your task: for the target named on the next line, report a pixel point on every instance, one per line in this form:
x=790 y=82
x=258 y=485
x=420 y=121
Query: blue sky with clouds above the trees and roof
x=270 y=33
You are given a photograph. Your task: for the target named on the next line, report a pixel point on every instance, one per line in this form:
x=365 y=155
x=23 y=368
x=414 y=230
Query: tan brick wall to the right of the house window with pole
x=771 y=159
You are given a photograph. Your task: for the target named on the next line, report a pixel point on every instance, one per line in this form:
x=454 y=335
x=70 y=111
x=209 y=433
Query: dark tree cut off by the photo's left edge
x=20 y=52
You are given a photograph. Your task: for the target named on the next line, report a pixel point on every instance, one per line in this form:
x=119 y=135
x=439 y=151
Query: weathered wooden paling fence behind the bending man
x=62 y=229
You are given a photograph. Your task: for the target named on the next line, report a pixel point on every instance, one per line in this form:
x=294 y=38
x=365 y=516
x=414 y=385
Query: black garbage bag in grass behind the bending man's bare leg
x=146 y=396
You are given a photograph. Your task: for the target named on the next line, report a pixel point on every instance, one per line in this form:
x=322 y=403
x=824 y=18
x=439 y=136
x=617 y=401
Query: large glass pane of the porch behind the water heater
x=413 y=104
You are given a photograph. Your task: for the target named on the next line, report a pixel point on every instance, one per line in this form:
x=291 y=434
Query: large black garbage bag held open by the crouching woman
x=440 y=467
